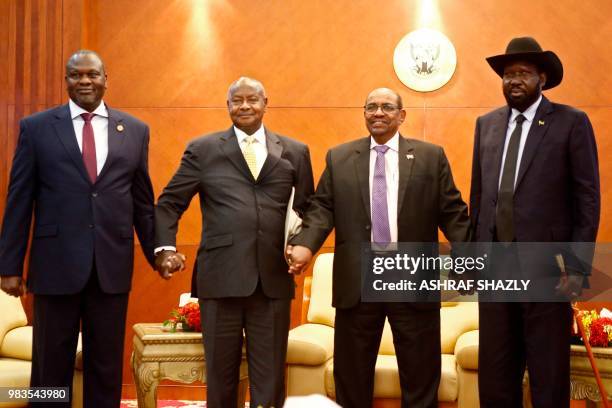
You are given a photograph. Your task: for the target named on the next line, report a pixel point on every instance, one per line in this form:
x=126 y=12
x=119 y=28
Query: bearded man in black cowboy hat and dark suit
x=535 y=178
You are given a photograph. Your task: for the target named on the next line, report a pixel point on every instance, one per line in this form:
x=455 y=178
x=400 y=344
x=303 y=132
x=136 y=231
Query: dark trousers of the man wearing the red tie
x=57 y=319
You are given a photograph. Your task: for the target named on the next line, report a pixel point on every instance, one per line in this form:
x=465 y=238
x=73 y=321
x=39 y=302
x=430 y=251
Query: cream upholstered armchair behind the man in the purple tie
x=310 y=349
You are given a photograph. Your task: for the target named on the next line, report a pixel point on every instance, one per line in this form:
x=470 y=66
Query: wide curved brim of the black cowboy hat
x=546 y=60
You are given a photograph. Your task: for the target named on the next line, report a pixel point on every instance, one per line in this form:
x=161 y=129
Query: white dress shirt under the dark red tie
x=99 y=123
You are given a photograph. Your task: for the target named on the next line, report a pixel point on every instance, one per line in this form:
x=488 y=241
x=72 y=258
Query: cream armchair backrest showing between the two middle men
x=320 y=309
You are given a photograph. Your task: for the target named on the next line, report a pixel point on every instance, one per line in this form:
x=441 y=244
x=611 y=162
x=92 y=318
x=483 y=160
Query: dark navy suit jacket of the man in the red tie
x=77 y=223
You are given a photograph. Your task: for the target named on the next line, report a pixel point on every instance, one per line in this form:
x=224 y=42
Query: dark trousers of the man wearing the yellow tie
x=265 y=324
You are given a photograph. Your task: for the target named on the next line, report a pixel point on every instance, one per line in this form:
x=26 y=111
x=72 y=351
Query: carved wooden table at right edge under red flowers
x=582 y=380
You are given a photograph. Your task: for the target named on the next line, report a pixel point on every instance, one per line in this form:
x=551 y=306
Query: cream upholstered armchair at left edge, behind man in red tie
x=16 y=351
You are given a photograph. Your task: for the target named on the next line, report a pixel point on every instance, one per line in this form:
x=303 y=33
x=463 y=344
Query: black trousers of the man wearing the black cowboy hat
x=515 y=335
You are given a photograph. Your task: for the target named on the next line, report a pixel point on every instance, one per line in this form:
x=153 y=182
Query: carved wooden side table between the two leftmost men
x=159 y=355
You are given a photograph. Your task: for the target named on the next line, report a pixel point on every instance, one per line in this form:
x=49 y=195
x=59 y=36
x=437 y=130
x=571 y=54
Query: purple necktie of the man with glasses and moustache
x=380 y=213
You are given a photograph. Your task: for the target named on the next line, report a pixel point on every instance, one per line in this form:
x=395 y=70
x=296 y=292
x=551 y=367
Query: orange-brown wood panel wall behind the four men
x=169 y=63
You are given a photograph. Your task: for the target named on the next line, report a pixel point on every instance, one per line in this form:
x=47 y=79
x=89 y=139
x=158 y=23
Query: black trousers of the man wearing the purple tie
x=416 y=337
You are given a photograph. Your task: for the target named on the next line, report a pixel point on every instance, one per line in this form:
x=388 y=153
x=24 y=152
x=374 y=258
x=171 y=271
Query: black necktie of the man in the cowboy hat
x=504 y=219
